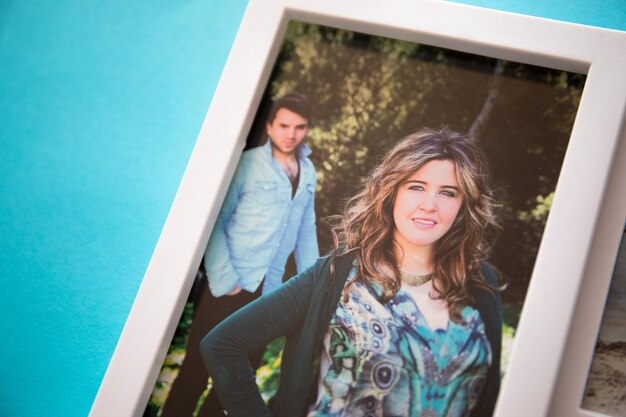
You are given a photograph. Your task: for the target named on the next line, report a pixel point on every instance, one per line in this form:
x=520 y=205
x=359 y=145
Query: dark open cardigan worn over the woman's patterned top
x=301 y=309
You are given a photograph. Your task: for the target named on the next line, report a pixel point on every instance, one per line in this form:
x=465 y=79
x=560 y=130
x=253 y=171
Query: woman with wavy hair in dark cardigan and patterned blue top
x=403 y=319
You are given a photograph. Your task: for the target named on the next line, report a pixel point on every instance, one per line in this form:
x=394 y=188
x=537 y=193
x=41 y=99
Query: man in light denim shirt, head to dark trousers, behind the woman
x=267 y=214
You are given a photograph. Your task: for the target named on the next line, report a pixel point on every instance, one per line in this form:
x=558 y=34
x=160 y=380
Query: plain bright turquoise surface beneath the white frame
x=100 y=106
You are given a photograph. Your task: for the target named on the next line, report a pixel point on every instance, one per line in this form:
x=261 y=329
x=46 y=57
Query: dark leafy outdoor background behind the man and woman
x=368 y=92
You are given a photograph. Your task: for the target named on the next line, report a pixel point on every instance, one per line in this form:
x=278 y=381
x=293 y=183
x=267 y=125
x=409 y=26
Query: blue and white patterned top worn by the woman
x=384 y=360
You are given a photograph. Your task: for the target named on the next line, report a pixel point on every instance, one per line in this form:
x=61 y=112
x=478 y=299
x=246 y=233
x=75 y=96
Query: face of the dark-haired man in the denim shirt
x=287 y=131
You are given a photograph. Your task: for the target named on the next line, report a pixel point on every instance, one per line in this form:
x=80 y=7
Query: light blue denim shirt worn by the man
x=259 y=224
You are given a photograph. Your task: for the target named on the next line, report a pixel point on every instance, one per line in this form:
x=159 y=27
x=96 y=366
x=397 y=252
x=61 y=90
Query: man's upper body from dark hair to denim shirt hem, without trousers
x=268 y=211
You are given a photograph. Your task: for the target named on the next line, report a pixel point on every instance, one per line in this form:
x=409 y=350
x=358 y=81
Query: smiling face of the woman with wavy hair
x=426 y=206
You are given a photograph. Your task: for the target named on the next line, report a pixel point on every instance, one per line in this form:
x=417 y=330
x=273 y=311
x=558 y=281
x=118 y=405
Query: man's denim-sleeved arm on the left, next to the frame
x=220 y=272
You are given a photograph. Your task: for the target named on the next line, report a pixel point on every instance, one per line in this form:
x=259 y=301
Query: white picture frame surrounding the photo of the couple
x=564 y=303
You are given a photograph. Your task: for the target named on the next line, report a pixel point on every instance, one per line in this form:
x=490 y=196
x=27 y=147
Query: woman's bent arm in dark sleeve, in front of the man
x=225 y=349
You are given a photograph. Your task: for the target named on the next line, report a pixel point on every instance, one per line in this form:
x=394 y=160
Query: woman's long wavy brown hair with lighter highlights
x=366 y=228
